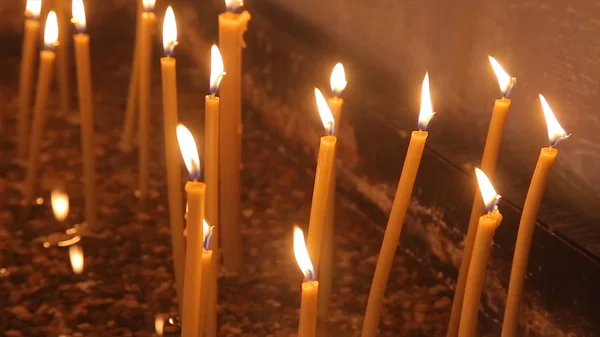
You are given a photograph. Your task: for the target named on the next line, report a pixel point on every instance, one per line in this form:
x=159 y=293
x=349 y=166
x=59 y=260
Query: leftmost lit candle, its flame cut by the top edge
x=32 y=28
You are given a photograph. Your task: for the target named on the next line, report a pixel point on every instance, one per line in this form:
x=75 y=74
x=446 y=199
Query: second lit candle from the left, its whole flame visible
x=47 y=58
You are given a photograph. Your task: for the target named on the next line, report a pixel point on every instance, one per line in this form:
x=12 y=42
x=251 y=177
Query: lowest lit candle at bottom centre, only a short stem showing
x=310 y=287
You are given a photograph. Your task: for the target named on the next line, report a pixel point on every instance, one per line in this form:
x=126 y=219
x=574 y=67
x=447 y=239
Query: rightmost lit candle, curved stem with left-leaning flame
x=528 y=218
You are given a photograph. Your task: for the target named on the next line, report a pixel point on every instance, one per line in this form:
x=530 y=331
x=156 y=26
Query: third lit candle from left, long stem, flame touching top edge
x=86 y=110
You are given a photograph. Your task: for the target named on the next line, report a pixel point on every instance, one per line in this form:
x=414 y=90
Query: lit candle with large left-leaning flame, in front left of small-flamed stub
x=195 y=240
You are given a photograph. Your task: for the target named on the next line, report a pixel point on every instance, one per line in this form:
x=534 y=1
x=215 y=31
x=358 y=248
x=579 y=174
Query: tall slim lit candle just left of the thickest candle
x=211 y=127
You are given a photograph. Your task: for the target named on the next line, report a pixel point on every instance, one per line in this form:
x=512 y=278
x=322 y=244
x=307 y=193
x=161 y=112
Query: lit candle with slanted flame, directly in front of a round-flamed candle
x=323 y=175
